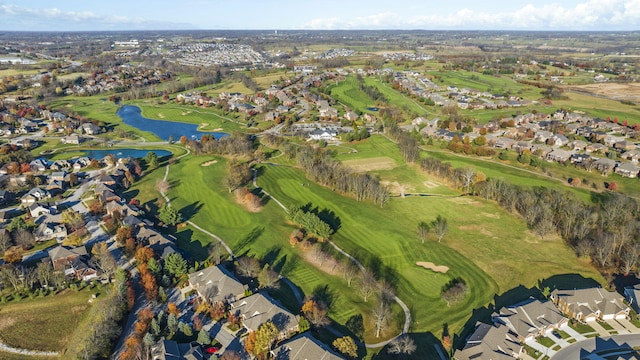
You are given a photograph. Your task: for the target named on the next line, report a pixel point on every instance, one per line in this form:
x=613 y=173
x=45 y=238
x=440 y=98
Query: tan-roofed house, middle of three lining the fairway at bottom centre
x=258 y=309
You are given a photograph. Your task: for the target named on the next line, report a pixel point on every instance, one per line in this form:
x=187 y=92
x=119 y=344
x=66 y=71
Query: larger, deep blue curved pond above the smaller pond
x=132 y=115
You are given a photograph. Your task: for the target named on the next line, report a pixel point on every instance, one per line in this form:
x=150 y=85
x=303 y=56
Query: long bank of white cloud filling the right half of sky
x=588 y=15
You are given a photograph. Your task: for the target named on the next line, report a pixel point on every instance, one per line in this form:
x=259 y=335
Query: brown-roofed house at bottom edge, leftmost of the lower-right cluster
x=497 y=342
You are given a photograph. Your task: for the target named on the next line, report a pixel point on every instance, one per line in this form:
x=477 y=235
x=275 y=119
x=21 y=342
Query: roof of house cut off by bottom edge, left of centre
x=304 y=347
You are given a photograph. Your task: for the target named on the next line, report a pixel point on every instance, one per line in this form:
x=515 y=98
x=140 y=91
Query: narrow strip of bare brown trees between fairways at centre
x=323 y=169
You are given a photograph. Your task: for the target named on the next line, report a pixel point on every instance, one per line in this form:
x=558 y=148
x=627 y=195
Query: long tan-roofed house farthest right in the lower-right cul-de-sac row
x=590 y=304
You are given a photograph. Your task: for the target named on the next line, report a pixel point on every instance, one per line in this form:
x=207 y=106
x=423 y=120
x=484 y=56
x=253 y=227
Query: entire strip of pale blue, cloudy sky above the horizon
x=101 y=15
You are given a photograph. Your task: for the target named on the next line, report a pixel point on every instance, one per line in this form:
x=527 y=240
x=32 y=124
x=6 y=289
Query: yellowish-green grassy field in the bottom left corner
x=55 y=319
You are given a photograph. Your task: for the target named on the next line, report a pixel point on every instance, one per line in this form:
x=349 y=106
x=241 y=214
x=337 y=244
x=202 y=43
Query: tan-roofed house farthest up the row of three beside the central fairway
x=215 y=284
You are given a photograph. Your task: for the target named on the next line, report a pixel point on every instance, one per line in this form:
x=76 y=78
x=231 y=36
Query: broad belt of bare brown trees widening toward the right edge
x=607 y=231
